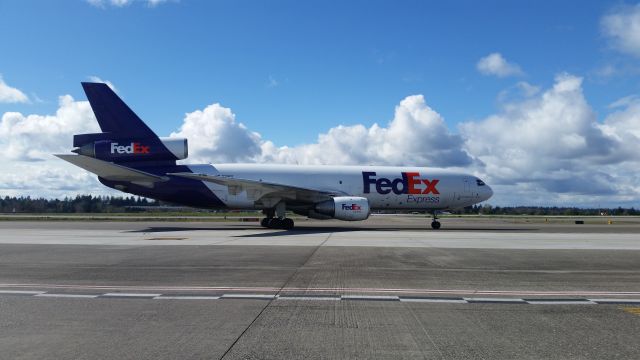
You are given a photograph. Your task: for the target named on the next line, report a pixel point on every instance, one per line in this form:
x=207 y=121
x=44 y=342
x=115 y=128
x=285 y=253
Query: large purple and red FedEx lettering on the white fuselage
x=409 y=183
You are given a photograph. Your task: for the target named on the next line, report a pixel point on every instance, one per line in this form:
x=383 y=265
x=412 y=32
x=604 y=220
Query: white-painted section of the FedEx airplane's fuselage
x=386 y=188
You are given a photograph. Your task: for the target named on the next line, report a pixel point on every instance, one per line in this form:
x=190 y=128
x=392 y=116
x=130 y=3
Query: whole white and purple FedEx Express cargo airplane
x=128 y=156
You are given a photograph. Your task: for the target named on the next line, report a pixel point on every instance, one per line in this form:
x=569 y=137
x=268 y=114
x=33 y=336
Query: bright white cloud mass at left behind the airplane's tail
x=28 y=142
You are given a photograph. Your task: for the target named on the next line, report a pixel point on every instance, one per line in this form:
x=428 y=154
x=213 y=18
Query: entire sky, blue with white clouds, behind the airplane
x=541 y=99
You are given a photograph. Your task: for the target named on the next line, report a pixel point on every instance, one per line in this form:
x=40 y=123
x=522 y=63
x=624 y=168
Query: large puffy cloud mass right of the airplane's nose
x=554 y=144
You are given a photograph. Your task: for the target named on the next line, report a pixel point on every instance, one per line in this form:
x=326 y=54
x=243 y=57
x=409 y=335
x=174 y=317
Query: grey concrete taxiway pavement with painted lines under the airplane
x=385 y=288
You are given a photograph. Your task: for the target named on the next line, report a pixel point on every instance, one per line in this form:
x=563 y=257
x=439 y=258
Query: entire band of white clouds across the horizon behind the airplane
x=545 y=147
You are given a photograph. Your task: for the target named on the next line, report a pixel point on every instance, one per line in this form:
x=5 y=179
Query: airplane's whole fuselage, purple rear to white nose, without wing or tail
x=385 y=188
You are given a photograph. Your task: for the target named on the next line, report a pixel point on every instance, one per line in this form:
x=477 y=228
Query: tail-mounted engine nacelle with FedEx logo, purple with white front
x=136 y=149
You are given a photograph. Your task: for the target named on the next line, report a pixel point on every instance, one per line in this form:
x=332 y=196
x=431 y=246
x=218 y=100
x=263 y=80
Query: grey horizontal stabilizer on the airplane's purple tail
x=111 y=171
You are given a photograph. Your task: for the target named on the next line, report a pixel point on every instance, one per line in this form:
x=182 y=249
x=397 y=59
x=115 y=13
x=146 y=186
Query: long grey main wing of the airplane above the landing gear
x=259 y=189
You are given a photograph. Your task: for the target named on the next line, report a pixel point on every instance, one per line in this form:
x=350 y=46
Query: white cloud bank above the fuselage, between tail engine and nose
x=417 y=135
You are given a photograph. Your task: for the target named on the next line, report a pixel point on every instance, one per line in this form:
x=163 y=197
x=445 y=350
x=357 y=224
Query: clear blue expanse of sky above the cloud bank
x=293 y=69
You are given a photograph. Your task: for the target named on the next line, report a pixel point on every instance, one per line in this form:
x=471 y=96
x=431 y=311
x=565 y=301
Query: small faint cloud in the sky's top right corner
x=622 y=27
